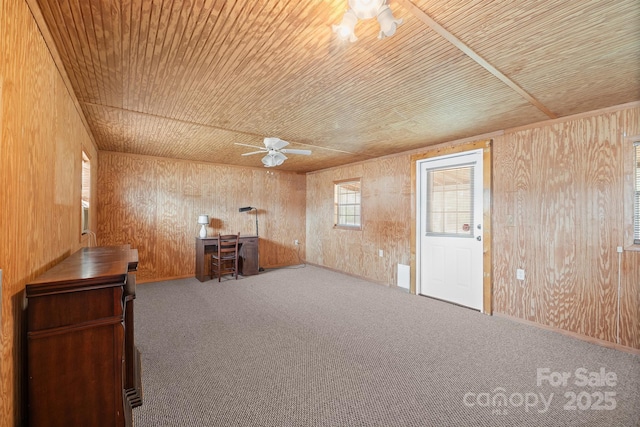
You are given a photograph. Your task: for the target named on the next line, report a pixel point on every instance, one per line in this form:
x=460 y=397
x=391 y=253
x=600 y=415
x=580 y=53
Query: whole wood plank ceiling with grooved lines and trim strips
x=186 y=79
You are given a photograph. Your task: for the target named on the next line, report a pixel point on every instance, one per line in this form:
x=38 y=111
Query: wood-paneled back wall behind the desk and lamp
x=153 y=204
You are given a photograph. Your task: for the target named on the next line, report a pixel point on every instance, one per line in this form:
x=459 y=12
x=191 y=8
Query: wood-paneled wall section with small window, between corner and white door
x=386 y=220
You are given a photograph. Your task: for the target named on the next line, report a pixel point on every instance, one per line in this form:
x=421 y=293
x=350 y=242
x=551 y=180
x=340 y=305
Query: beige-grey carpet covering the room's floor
x=312 y=347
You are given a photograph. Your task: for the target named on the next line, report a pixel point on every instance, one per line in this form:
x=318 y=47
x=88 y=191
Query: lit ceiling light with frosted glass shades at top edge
x=367 y=9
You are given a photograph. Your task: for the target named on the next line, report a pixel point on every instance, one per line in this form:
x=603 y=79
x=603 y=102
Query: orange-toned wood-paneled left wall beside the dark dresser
x=41 y=140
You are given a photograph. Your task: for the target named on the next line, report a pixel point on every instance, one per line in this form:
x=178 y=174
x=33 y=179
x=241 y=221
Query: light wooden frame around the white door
x=487 y=279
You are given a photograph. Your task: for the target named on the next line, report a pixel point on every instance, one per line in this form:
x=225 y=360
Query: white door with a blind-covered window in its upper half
x=450 y=248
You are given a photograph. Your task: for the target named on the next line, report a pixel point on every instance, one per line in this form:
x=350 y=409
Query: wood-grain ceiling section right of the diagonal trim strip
x=520 y=38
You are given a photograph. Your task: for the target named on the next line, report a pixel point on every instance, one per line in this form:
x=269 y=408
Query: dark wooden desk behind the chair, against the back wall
x=248 y=253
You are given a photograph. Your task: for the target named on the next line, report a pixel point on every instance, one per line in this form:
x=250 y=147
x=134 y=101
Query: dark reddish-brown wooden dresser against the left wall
x=83 y=366
